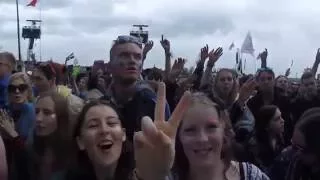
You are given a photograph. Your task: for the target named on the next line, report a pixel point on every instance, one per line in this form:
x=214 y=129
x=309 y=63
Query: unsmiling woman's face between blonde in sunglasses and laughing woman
x=46 y=118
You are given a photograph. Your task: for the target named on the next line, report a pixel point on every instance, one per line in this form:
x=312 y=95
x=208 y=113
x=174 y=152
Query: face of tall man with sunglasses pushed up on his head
x=126 y=63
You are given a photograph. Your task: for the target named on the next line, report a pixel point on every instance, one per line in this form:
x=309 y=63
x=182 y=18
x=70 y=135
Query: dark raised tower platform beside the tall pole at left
x=32 y=33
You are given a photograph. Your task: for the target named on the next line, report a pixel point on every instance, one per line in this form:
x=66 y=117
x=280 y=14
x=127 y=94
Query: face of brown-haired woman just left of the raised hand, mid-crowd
x=225 y=82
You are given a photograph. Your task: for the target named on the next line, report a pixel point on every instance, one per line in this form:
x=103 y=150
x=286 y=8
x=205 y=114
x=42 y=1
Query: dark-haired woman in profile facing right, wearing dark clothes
x=268 y=141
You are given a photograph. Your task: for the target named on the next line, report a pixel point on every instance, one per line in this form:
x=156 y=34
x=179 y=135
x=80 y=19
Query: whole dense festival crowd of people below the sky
x=125 y=122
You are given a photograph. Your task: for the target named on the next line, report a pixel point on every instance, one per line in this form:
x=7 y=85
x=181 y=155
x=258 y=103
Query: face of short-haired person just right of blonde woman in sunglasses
x=40 y=81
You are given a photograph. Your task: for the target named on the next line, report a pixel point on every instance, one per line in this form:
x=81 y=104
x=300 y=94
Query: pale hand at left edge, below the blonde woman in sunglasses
x=7 y=124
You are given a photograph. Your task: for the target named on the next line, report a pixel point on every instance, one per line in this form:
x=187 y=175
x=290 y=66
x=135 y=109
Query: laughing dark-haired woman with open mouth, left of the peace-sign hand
x=102 y=145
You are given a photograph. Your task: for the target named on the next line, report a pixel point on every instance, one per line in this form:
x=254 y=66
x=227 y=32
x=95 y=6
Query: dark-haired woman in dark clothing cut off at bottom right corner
x=301 y=161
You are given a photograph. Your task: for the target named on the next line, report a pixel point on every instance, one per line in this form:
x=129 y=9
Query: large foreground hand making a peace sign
x=154 y=146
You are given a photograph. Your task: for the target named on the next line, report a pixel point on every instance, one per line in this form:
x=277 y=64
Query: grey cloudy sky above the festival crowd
x=290 y=29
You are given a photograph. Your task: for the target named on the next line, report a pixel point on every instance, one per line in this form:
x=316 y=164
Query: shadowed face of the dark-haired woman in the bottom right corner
x=299 y=145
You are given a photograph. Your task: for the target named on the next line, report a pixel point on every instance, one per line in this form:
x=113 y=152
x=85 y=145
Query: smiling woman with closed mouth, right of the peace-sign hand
x=203 y=145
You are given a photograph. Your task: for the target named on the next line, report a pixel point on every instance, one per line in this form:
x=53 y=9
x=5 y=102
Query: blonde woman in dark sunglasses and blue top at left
x=17 y=122
